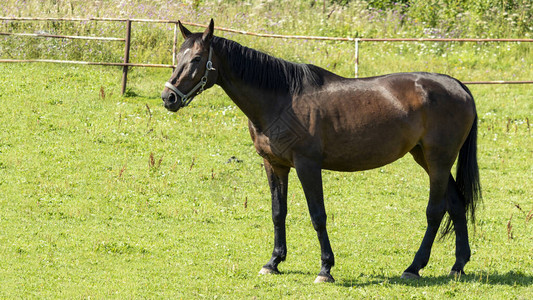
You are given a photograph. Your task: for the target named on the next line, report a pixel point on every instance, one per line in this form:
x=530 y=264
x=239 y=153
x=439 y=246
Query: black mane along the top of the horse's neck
x=265 y=71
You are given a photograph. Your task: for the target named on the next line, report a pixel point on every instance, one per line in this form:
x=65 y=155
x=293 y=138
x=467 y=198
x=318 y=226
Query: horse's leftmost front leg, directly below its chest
x=278 y=178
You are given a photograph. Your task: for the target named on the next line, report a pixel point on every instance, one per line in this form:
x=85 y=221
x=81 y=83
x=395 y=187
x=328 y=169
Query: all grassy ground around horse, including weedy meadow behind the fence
x=109 y=196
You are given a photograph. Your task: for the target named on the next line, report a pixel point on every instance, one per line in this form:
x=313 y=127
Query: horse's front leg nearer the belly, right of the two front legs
x=310 y=175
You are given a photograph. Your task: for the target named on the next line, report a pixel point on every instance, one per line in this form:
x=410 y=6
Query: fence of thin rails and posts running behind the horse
x=126 y=64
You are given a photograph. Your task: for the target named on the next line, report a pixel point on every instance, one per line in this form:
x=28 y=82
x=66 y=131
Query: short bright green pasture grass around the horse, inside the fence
x=115 y=197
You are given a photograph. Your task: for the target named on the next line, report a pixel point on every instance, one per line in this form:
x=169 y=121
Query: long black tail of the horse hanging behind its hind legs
x=467 y=176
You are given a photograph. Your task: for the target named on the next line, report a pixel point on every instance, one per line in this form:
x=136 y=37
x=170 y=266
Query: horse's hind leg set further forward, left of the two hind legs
x=438 y=175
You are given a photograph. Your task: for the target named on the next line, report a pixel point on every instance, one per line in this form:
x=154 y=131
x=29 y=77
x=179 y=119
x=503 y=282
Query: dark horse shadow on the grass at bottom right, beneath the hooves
x=497 y=279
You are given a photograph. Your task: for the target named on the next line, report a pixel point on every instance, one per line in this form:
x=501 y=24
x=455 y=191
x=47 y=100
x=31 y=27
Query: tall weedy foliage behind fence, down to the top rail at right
x=355 y=18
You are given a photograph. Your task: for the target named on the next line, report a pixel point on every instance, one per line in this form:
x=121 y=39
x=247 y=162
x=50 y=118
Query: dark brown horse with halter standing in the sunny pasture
x=304 y=117
